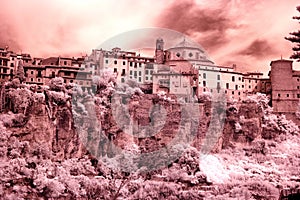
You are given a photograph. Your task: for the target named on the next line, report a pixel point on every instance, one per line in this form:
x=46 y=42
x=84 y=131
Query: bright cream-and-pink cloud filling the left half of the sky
x=67 y=27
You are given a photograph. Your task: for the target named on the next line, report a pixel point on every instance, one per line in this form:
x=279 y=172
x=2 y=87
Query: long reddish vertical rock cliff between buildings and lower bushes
x=106 y=124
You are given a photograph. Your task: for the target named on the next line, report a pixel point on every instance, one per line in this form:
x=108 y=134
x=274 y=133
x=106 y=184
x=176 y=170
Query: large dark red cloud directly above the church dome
x=207 y=26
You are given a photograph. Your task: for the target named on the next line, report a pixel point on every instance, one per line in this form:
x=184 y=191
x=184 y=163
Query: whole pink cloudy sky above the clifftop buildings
x=247 y=33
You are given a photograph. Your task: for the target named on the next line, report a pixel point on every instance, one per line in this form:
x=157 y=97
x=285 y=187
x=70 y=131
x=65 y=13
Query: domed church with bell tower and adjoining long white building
x=190 y=61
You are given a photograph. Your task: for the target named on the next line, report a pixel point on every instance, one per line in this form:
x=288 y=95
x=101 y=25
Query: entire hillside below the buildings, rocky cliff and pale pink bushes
x=64 y=143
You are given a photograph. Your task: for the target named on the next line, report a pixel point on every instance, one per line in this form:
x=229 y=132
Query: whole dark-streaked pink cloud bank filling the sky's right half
x=247 y=32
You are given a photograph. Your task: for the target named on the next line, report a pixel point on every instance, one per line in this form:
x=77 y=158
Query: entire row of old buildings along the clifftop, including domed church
x=183 y=69
